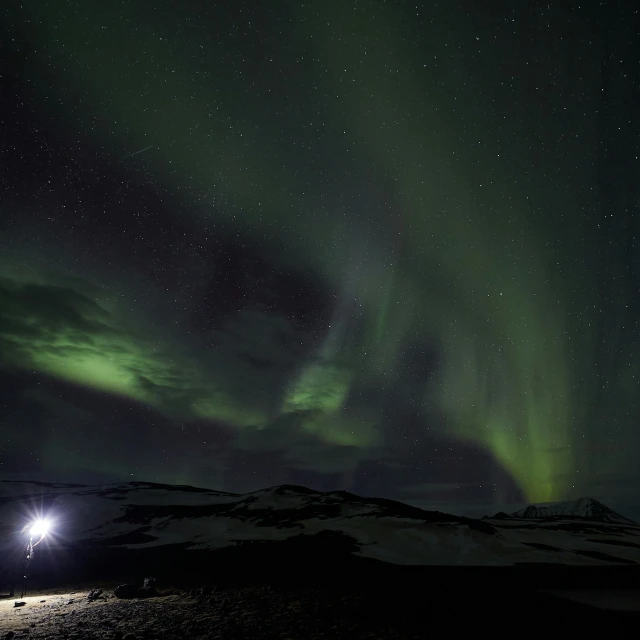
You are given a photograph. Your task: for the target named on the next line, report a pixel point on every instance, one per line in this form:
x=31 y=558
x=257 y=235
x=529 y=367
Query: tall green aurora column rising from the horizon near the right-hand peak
x=527 y=418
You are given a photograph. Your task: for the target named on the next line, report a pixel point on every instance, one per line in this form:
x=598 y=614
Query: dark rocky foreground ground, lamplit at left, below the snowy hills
x=372 y=601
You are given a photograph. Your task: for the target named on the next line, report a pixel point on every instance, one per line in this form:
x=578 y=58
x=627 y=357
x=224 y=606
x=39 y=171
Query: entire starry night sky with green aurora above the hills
x=381 y=246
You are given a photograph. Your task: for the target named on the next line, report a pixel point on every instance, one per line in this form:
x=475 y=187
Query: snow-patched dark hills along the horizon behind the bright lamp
x=145 y=516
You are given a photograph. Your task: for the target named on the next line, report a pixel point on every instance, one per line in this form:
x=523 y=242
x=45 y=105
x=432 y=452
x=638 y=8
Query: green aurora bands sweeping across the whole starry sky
x=468 y=269
